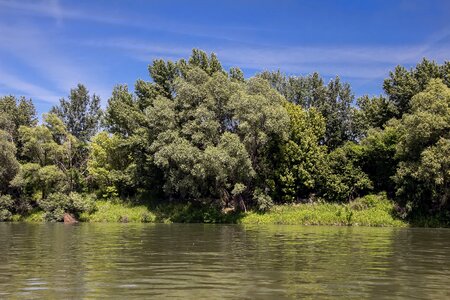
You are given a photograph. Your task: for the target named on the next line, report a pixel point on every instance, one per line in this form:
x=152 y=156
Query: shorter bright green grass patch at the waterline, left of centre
x=109 y=211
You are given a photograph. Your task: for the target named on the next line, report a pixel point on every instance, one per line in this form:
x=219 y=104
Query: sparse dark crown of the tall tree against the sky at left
x=80 y=113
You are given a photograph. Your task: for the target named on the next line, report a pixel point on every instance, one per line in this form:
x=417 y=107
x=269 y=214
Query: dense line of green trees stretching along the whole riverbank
x=198 y=133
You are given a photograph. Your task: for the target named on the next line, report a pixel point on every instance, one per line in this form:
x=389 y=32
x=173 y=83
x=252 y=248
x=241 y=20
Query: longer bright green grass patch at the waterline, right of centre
x=372 y=210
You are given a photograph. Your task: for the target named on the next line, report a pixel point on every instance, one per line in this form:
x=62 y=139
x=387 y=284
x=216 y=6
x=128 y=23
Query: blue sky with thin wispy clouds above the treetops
x=48 y=46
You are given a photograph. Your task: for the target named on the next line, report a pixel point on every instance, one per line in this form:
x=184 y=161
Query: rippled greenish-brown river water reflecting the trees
x=222 y=261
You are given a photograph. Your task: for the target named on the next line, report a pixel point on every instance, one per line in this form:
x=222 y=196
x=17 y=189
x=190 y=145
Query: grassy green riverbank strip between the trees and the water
x=372 y=210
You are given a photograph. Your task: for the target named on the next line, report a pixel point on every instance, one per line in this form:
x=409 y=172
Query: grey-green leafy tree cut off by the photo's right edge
x=422 y=176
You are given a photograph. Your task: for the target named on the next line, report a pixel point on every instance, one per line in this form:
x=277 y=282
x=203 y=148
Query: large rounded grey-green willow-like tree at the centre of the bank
x=214 y=136
